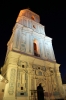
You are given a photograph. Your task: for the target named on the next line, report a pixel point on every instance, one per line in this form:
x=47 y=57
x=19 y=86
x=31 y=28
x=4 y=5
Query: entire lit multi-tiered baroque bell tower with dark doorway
x=30 y=60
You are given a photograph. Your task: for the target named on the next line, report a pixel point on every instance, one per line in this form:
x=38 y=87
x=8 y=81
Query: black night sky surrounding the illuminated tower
x=53 y=17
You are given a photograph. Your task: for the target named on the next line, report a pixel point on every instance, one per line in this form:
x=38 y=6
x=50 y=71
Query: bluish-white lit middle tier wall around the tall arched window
x=22 y=40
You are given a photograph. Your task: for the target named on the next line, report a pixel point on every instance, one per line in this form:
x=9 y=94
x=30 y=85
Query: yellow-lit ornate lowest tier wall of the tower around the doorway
x=27 y=72
